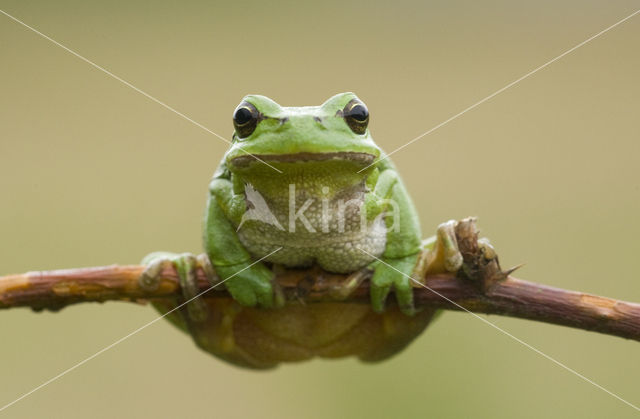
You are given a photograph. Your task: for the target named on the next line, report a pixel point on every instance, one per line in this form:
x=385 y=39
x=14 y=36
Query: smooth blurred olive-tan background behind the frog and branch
x=93 y=173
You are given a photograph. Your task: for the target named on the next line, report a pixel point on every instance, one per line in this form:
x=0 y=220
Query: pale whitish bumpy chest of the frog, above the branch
x=334 y=242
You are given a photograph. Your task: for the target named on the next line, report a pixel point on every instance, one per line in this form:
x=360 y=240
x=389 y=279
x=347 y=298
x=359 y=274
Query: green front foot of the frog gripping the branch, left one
x=251 y=285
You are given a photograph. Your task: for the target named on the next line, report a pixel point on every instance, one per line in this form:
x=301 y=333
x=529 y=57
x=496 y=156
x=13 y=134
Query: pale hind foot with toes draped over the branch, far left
x=185 y=265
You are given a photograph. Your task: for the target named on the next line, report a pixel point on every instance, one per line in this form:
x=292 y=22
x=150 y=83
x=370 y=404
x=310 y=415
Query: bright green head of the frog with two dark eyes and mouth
x=283 y=137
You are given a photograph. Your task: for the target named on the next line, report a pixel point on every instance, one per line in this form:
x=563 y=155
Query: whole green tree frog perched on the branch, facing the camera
x=301 y=187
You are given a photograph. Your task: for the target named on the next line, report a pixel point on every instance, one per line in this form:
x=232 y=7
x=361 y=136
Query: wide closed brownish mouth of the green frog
x=364 y=159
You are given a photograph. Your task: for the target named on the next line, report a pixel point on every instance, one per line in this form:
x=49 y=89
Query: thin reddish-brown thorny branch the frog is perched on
x=509 y=297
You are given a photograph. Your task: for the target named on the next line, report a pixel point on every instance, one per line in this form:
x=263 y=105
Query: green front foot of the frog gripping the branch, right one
x=396 y=274
